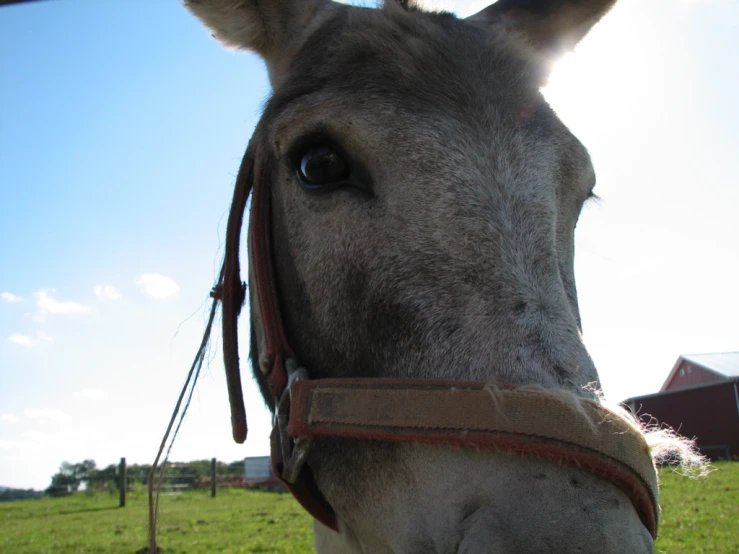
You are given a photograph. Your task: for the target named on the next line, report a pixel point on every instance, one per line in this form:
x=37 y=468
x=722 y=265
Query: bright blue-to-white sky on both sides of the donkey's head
x=122 y=125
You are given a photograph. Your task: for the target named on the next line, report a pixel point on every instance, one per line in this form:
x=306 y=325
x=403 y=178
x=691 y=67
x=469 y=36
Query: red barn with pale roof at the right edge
x=700 y=398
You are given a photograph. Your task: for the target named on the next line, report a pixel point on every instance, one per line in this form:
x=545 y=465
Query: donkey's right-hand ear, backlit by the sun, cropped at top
x=550 y=27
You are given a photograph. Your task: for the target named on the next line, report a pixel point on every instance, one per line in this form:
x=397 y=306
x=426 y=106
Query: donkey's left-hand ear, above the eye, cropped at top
x=271 y=28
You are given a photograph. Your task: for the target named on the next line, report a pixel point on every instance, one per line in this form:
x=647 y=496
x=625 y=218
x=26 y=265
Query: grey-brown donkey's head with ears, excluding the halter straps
x=424 y=201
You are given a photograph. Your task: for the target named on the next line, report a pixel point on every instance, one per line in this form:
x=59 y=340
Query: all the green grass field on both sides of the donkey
x=698 y=517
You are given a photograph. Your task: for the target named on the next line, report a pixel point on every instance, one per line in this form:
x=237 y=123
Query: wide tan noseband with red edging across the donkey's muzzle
x=554 y=426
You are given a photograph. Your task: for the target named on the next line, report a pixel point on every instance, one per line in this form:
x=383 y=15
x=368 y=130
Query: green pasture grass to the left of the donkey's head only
x=236 y=521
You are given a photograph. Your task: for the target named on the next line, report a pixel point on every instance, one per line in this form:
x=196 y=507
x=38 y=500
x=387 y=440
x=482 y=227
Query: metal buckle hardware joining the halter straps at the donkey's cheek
x=294 y=451
